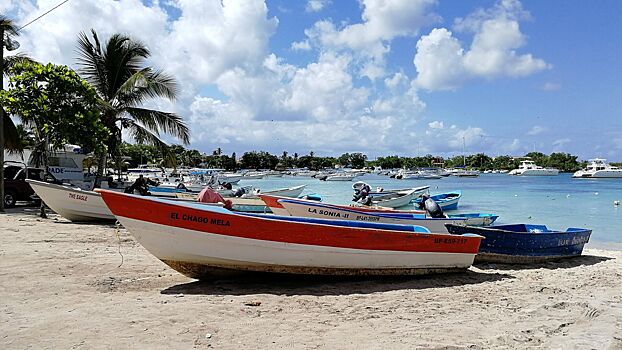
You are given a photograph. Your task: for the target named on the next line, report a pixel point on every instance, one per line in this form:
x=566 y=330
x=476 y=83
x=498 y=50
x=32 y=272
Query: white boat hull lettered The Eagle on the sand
x=72 y=203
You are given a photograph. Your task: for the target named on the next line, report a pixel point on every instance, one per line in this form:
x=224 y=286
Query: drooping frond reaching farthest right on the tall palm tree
x=170 y=123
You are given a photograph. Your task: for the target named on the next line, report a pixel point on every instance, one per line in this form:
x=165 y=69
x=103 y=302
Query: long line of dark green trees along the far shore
x=178 y=156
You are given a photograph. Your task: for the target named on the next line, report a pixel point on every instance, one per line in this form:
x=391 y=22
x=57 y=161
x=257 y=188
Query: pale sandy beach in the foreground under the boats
x=77 y=286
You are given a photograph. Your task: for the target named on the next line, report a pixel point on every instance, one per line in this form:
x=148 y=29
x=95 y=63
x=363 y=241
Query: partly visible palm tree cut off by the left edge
x=12 y=141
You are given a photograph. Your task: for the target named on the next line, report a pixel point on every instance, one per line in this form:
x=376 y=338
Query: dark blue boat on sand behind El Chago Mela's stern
x=525 y=243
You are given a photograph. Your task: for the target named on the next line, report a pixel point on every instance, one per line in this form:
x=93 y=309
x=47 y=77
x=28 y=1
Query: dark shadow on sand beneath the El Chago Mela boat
x=279 y=284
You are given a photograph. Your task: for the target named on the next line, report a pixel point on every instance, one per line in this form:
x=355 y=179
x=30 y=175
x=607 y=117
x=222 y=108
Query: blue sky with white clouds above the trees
x=381 y=77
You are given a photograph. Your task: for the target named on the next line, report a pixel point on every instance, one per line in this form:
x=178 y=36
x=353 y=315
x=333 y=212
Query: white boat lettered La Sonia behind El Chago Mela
x=315 y=209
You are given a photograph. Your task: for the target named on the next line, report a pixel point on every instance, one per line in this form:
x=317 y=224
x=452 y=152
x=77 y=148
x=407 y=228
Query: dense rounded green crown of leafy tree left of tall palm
x=60 y=106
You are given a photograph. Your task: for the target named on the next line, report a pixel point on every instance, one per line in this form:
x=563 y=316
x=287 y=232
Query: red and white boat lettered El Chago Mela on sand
x=205 y=241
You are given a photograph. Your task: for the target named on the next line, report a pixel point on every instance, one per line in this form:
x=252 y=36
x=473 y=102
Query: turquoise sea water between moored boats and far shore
x=556 y=201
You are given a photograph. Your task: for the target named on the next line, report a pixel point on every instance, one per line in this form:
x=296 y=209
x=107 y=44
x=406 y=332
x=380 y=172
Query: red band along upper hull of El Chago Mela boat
x=268 y=229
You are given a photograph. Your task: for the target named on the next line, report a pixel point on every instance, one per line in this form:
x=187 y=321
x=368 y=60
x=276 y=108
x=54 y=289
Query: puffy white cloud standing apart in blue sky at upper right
x=443 y=64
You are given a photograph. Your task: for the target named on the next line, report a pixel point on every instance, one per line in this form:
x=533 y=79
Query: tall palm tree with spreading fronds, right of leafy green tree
x=123 y=82
